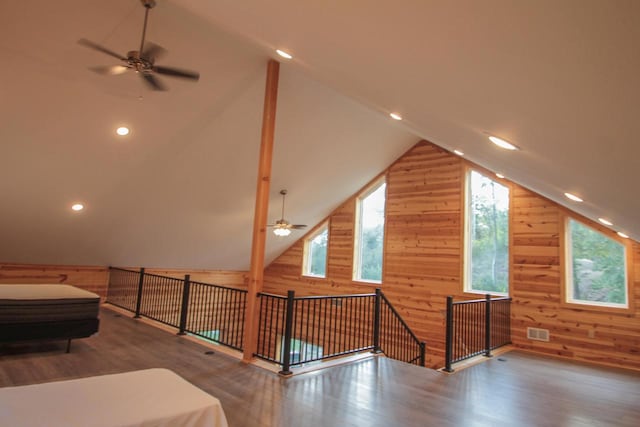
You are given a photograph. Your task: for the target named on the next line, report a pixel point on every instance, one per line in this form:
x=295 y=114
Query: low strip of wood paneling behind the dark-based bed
x=93 y=279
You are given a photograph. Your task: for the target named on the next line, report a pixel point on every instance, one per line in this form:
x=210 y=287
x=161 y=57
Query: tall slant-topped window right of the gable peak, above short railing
x=487 y=235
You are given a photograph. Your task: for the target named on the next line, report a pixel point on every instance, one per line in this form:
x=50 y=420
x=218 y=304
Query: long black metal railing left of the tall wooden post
x=210 y=311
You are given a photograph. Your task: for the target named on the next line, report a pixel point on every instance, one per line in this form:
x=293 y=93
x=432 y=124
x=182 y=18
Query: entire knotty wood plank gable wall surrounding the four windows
x=424 y=263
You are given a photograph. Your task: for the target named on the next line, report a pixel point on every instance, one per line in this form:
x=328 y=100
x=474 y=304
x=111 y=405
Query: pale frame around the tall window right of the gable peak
x=467 y=237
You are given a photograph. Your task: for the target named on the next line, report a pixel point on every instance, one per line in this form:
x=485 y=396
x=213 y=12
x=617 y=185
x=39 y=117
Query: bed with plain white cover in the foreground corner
x=149 y=398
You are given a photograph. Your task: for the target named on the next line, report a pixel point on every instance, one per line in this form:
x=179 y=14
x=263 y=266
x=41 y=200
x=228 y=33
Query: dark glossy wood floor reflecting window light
x=515 y=389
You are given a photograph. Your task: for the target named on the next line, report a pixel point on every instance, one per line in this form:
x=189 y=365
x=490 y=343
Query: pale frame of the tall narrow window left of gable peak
x=357 y=231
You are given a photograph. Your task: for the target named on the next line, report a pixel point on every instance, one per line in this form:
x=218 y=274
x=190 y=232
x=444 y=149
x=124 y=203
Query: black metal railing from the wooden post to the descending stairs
x=298 y=330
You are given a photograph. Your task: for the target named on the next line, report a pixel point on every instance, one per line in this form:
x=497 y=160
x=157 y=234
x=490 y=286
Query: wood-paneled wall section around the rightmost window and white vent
x=578 y=332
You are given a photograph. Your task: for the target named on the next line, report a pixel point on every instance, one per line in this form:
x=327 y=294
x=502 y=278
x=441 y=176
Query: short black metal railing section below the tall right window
x=476 y=327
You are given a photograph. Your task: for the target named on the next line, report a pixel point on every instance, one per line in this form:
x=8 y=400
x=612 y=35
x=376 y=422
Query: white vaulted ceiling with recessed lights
x=561 y=79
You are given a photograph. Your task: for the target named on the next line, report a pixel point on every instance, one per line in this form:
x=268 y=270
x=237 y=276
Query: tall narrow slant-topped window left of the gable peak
x=369 y=241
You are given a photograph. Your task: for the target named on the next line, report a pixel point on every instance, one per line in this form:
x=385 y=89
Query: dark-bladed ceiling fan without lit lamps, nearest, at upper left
x=141 y=61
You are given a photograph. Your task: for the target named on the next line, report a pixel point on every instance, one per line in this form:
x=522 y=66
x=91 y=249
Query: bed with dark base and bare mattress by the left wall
x=47 y=312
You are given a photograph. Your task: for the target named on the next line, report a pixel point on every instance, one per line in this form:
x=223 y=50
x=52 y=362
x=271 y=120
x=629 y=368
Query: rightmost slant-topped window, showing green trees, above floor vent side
x=596 y=271
